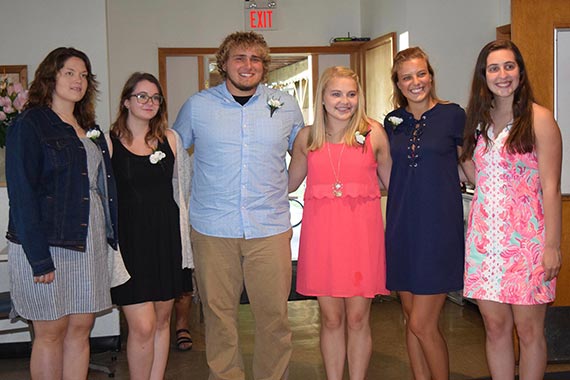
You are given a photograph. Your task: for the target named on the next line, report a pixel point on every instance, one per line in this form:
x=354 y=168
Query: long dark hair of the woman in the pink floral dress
x=521 y=137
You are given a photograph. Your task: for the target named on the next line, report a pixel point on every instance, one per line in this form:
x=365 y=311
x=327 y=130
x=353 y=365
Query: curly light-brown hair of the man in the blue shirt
x=243 y=40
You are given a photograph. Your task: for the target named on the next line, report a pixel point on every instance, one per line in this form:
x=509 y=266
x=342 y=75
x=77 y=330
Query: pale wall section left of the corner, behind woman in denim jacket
x=30 y=29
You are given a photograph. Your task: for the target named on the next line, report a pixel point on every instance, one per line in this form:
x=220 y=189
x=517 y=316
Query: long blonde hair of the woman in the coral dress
x=359 y=121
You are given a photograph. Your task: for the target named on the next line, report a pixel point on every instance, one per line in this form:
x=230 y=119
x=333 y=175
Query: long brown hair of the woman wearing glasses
x=158 y=124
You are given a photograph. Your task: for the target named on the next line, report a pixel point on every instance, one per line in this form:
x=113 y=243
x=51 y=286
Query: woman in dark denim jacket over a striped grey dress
x=62 y=214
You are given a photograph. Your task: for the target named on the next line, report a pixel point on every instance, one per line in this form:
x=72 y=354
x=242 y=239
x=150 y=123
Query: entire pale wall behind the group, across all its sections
x=452 y=32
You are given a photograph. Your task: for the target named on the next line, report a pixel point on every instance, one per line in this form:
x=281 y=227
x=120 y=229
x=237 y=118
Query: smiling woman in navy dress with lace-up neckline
x=424 y=226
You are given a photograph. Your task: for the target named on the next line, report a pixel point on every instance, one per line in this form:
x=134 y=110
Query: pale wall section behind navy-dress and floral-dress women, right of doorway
x=451 y=31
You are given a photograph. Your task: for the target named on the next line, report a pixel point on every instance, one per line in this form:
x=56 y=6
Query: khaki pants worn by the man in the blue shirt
x=222 y=267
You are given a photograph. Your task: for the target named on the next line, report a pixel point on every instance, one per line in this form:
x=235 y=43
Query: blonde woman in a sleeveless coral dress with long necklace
x=341 y=255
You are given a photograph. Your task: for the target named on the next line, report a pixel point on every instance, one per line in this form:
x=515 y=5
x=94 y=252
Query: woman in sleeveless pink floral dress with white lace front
x=513 y=153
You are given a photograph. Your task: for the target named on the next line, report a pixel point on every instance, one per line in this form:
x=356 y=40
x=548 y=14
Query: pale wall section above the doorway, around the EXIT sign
x=137 y=28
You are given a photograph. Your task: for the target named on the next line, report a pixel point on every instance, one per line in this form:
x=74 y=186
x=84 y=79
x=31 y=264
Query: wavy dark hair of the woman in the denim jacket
x=43 y=85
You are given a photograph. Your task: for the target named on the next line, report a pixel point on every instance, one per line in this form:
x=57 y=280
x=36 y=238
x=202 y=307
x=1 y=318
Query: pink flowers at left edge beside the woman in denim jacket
x=13 y=97
